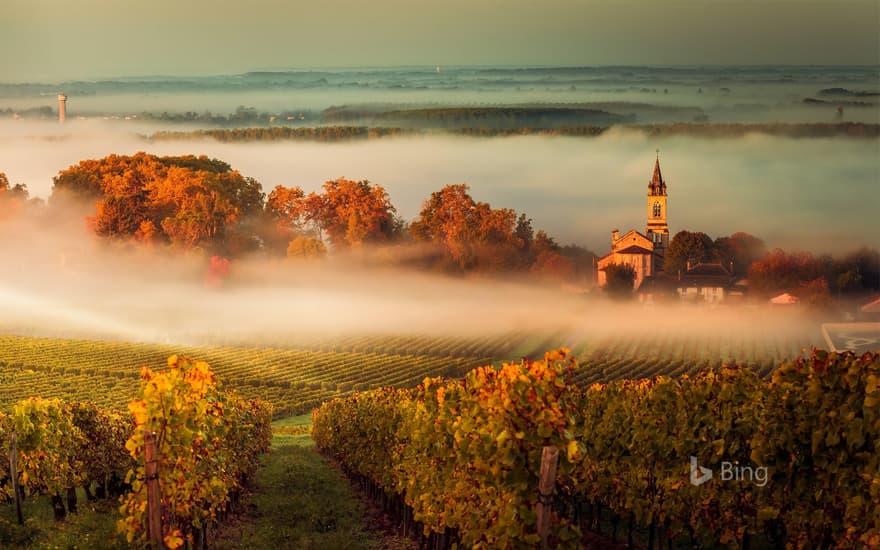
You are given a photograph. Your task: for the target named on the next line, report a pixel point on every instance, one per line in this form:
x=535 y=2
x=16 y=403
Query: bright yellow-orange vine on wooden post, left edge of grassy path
x=208 y=444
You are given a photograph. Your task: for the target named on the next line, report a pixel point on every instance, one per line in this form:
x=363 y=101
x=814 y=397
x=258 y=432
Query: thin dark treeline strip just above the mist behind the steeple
x=344 y=133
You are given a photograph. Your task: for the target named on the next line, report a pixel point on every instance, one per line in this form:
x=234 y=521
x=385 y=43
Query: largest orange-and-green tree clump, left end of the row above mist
x=186 y=201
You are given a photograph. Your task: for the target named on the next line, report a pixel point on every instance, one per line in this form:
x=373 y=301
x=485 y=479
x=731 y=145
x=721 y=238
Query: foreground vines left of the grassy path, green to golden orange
x=177 y=460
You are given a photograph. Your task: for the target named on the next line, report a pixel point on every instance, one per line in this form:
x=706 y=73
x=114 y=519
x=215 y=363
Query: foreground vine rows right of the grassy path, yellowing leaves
x=459 y=461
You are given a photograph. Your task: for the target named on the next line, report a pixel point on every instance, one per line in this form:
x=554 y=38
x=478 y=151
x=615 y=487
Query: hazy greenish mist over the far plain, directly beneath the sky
x=723 y=94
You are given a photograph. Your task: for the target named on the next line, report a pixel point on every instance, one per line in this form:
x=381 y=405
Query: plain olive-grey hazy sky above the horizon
x=50 y=40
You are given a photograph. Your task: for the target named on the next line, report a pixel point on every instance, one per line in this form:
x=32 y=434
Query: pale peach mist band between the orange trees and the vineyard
x=58 y=280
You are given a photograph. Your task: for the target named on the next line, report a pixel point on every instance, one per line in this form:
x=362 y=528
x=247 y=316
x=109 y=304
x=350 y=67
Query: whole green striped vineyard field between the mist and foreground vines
x=296 y=376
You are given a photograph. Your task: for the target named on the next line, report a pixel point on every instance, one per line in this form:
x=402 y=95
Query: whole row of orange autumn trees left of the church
x=197 y=203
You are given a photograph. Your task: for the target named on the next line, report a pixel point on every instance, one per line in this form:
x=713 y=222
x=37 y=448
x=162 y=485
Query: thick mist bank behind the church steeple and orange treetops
x=810 y=194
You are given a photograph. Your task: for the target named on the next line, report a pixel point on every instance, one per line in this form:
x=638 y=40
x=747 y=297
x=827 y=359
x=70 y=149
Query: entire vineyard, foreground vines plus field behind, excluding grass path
x=624 y=425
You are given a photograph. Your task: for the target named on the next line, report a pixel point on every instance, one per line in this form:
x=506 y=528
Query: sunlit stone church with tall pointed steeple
x=644 y=252
